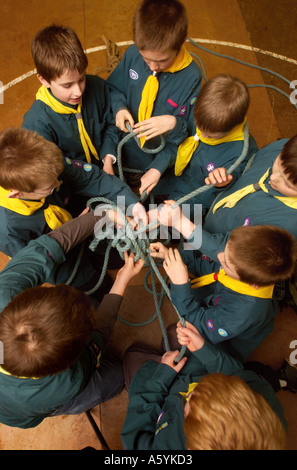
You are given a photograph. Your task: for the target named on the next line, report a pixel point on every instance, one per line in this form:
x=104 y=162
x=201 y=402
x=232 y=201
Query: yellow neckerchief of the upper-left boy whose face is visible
x=44 y=95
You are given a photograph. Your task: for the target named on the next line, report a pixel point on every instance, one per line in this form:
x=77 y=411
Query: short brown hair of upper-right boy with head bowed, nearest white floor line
x=222 y=104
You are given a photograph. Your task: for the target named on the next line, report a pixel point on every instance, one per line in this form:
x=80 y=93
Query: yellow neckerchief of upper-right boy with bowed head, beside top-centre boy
x=187 y=148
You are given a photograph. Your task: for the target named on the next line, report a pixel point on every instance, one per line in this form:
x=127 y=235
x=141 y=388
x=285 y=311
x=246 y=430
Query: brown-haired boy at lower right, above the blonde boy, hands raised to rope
x=231 y=302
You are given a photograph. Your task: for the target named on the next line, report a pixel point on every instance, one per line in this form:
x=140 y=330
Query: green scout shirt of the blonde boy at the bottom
x=155 y=415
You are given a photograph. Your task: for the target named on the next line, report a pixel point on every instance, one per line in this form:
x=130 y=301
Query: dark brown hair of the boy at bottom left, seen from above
x=44 y=330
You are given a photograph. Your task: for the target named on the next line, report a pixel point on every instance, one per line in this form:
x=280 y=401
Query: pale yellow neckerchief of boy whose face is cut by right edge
x=231 y=200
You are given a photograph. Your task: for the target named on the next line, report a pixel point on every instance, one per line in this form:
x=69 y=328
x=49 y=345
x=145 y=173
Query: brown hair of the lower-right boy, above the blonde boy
x=262 y=254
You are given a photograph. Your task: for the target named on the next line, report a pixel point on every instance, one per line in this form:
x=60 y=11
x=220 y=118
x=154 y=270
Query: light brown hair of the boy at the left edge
x=27 y=160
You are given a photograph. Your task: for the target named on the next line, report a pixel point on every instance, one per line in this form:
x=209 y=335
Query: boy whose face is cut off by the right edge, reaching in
x=265 y=194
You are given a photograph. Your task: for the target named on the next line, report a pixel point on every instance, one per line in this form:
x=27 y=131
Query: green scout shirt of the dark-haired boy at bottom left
x=25 y=402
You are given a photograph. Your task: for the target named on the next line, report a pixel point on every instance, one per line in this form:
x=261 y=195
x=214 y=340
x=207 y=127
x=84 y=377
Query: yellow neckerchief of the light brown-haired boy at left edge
x=54 y=215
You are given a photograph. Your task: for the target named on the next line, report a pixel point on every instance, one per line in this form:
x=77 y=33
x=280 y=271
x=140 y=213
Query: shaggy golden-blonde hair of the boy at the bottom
x=226 y=414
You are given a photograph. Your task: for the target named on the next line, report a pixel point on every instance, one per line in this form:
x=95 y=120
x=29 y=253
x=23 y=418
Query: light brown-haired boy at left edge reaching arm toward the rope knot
x=35 y=183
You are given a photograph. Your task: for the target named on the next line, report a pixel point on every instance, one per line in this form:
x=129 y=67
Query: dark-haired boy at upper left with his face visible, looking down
x=72 y=109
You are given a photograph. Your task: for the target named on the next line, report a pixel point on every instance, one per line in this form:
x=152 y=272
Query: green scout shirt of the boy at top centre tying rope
x=176 y=96
